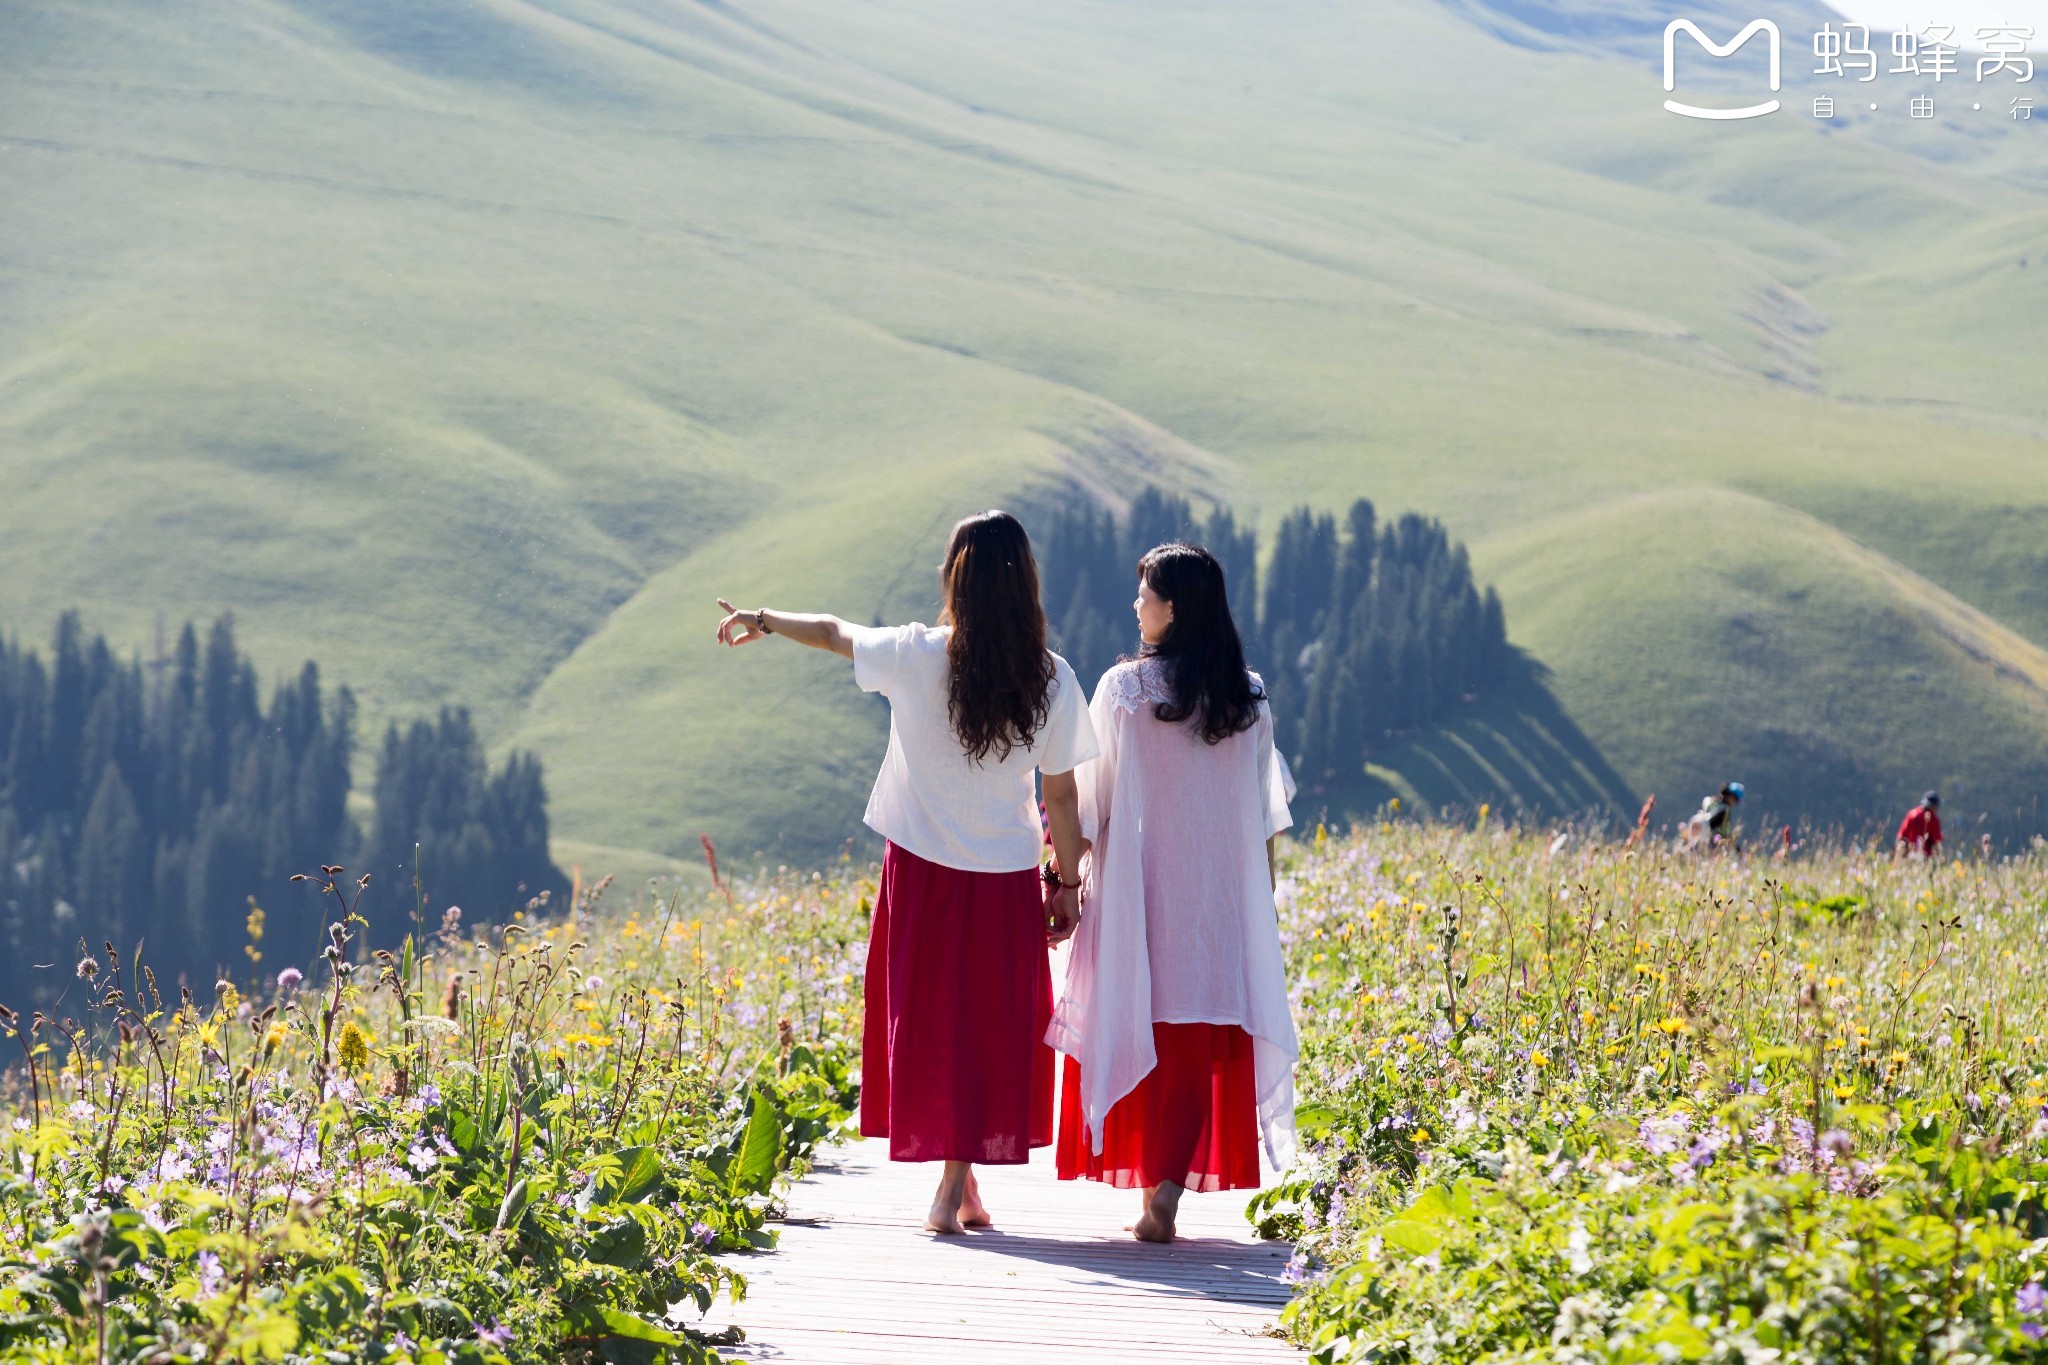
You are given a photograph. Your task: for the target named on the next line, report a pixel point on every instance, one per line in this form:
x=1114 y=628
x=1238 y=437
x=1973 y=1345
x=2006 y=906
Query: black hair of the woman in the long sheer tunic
x=1201 y=650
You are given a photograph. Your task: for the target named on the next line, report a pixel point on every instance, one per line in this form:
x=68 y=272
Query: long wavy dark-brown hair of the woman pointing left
x=1000 y=676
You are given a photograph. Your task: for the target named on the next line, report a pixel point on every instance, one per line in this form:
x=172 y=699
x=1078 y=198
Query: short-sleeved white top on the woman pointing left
x=931 y=797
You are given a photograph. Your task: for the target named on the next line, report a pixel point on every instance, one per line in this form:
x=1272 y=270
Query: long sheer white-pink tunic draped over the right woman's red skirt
x=1179 y=916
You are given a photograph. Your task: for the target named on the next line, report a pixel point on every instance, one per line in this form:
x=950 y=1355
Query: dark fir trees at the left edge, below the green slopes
x=163 y=803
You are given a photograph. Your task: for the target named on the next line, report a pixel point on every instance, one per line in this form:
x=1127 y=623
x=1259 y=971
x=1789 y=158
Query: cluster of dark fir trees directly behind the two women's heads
x=1363 y=631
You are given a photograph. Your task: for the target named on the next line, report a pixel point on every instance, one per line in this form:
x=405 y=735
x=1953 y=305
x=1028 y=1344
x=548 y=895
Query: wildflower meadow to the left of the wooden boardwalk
x=536 y=1141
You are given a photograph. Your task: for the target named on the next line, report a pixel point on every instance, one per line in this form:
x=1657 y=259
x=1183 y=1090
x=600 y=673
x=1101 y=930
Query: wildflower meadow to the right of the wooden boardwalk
x=1570 y=1100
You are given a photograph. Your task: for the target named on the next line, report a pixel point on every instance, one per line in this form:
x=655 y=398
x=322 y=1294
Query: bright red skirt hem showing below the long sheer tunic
x=1193 y=1120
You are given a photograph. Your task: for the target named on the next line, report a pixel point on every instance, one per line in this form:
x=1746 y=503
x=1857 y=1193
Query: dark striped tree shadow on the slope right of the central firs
x=1517 y=752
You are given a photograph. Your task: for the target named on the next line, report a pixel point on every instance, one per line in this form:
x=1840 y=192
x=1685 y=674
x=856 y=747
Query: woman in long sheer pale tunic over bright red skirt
x=1177 y=1026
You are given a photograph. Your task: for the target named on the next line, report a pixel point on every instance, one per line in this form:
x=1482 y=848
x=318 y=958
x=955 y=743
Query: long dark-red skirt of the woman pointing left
x=959 y=996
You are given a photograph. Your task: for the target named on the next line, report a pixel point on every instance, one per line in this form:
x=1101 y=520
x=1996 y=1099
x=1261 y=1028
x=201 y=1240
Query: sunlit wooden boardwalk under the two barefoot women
x=857 y=1282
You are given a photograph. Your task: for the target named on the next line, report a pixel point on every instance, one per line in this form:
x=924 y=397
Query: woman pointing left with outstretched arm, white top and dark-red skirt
x=959 y=985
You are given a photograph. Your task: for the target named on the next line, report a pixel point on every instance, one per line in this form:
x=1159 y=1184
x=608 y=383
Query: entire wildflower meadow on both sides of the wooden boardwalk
x=1562 y=1100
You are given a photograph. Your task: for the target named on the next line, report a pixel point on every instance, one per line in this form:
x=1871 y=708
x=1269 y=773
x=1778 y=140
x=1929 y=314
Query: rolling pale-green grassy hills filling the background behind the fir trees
x=474 y=347
